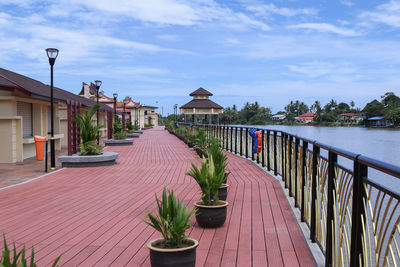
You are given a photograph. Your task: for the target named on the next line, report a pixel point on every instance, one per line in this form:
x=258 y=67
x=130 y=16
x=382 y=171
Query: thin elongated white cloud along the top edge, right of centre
x=265 y=10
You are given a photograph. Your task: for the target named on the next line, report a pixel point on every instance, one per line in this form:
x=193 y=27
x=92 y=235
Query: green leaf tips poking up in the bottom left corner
x=18 y=259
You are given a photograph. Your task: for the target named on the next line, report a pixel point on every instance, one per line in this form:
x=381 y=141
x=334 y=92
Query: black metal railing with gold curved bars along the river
x=354 y=219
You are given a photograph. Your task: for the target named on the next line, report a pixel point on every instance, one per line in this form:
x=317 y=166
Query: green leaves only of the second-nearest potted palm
x=209 y=180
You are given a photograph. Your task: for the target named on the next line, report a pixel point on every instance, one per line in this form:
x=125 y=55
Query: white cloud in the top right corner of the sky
x=388 y=14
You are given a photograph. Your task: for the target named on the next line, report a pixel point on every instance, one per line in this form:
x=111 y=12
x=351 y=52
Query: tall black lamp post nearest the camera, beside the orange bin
x=52 y=54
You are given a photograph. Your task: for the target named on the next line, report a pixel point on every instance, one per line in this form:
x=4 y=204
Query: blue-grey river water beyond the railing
x=380 y=144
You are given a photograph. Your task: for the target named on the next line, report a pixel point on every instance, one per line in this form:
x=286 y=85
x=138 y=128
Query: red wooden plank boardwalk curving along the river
x=93 y=216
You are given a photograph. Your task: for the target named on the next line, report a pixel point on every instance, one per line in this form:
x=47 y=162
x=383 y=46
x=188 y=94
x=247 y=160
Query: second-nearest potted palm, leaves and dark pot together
x=211 y=210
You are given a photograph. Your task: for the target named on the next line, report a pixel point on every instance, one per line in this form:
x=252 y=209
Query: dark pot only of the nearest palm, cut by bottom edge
x=171 y=257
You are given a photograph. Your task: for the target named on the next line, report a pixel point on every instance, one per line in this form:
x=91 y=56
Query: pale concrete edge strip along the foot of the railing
x=316 y=252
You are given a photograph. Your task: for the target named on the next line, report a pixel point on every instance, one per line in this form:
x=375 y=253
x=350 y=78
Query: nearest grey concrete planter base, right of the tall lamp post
x=75 y=161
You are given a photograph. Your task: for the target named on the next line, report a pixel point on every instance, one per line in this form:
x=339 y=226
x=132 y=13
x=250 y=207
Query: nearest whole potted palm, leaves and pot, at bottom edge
x=174 y=248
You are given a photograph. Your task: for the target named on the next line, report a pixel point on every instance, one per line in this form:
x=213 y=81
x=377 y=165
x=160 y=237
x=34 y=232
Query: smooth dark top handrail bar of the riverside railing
x=370 y=162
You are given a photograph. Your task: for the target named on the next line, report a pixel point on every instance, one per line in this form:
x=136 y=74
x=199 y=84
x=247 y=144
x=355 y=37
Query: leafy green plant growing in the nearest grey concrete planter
x=88 y=132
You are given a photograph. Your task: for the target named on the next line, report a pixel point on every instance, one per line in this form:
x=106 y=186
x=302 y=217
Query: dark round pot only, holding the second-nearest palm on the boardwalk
x=211 y=216
